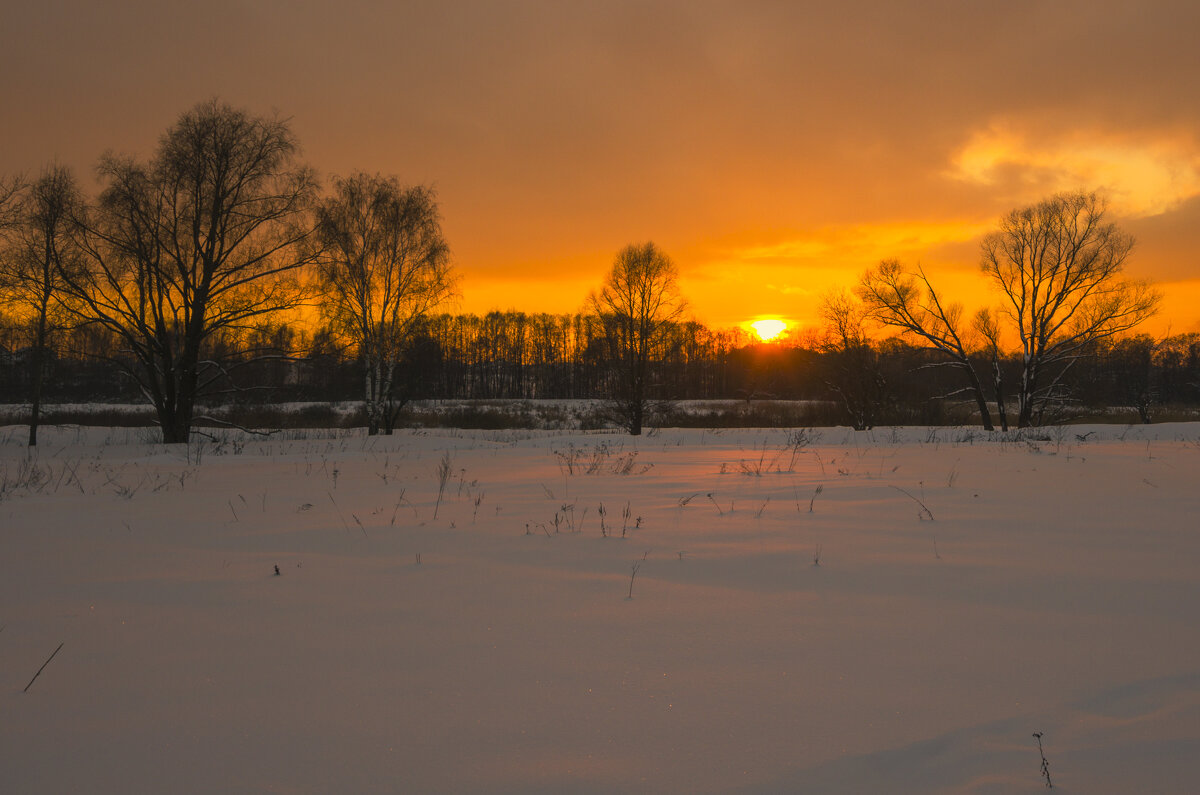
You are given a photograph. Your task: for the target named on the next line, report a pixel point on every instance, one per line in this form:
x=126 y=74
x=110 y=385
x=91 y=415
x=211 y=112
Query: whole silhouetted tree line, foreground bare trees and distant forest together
x=183 y=283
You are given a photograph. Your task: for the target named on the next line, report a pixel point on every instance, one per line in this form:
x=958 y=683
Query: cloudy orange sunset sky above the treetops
x=776 y=151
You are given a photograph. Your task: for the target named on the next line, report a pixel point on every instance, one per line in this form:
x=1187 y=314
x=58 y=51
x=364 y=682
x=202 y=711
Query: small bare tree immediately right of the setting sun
x=851 y=364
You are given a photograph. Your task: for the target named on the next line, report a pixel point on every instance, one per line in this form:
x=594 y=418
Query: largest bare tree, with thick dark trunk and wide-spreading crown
x=203 y=240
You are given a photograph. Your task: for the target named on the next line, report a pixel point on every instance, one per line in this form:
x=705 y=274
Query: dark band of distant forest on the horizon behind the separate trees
x=509 y=356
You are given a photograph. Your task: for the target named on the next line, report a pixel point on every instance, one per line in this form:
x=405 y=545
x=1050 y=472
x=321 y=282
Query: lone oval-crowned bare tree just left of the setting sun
x=635 y=308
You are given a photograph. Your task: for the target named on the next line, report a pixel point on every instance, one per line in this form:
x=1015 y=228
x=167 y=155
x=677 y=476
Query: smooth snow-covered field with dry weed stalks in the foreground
x=971 y=591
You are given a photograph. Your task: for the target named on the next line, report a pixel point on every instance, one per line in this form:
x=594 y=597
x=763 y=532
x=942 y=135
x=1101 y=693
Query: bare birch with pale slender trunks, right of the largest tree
x=383 y=267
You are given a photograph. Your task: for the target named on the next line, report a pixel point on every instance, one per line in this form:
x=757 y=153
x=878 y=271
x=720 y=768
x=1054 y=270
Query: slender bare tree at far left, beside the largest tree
x=33 y=268
